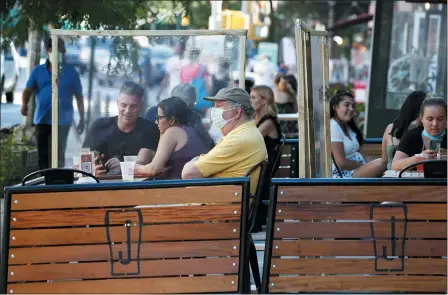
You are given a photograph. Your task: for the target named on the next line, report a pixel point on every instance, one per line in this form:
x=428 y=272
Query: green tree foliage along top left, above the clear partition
x=85 y=14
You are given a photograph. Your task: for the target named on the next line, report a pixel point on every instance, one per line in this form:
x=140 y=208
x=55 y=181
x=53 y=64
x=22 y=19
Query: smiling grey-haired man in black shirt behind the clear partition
x=123 y=135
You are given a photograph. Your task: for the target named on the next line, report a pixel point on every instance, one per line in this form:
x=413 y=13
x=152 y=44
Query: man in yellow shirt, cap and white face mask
x=242 y=146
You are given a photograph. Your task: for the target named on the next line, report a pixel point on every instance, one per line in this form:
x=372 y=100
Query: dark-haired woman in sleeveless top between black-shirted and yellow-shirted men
x=179 y=143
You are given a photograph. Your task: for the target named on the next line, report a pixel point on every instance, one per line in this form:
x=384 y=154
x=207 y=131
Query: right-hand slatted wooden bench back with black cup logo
x=339 y=236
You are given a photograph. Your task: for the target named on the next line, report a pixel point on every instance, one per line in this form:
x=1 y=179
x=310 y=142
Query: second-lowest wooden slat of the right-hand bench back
x=356 y=266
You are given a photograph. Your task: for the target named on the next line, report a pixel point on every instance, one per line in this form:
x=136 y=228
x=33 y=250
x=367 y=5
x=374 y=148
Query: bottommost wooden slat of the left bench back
x=204 y=284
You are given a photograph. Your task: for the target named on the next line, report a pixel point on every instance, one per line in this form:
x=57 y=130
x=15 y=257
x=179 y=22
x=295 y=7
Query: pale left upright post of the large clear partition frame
x=54 y=100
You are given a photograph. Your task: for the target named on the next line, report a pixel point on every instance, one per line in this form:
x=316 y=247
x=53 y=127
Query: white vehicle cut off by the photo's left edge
x=9 y=71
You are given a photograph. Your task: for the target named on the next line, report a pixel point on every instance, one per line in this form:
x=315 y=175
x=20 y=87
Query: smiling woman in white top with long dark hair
x=346 y=141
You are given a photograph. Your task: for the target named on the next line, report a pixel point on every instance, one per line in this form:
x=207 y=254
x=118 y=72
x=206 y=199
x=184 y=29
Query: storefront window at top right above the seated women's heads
x=418 y=51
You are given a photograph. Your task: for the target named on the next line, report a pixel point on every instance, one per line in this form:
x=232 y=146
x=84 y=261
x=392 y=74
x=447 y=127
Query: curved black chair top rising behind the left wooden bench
x=55 y=176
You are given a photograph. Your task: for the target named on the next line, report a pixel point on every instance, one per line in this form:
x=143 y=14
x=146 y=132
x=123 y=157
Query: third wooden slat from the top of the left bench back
x=150 y=233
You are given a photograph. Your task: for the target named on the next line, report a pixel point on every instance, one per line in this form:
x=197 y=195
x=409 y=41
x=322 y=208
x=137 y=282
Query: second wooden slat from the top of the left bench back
x=82 y=217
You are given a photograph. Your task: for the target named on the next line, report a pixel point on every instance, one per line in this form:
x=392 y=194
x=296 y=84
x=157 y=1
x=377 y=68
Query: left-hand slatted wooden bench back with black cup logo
x=150 y=237
